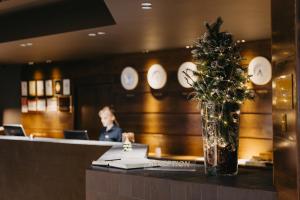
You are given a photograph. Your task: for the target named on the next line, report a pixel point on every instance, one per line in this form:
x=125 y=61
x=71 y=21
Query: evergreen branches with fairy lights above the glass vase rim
x=220 y=76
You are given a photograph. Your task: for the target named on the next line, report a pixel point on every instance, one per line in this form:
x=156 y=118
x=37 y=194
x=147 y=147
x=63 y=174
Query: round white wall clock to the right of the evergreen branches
x=260 y=70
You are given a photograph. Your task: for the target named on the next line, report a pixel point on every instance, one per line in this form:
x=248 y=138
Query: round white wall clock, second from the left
x=157 y=76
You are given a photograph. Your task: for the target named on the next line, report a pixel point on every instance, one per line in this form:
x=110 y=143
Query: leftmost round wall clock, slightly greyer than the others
x=129 y=78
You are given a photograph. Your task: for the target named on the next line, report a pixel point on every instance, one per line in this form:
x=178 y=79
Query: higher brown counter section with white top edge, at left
x=42 y=168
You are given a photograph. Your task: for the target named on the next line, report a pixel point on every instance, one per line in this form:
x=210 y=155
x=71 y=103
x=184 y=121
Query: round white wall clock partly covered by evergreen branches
x=181 y=76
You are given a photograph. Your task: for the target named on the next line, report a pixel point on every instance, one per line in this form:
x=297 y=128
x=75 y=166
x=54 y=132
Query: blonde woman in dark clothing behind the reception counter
x=111 y=130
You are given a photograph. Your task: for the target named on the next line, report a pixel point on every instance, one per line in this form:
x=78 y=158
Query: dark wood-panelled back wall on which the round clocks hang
x=165 y=117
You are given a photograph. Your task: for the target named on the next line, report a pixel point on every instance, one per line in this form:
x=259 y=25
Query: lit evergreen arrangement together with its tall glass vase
x=220 y=87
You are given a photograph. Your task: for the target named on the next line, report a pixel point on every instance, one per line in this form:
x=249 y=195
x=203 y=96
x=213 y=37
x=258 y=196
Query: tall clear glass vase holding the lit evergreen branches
x=220 y=133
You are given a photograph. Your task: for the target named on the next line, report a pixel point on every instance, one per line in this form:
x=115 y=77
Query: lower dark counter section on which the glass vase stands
x=143 y=184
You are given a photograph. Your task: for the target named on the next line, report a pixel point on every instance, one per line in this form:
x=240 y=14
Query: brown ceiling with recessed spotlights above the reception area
x=169 y=24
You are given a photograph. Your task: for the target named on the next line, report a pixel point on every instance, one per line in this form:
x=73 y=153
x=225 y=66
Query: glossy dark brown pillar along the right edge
x=286 y=61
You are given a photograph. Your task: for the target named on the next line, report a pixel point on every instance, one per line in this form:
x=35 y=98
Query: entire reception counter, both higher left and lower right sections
x=54 y=169
